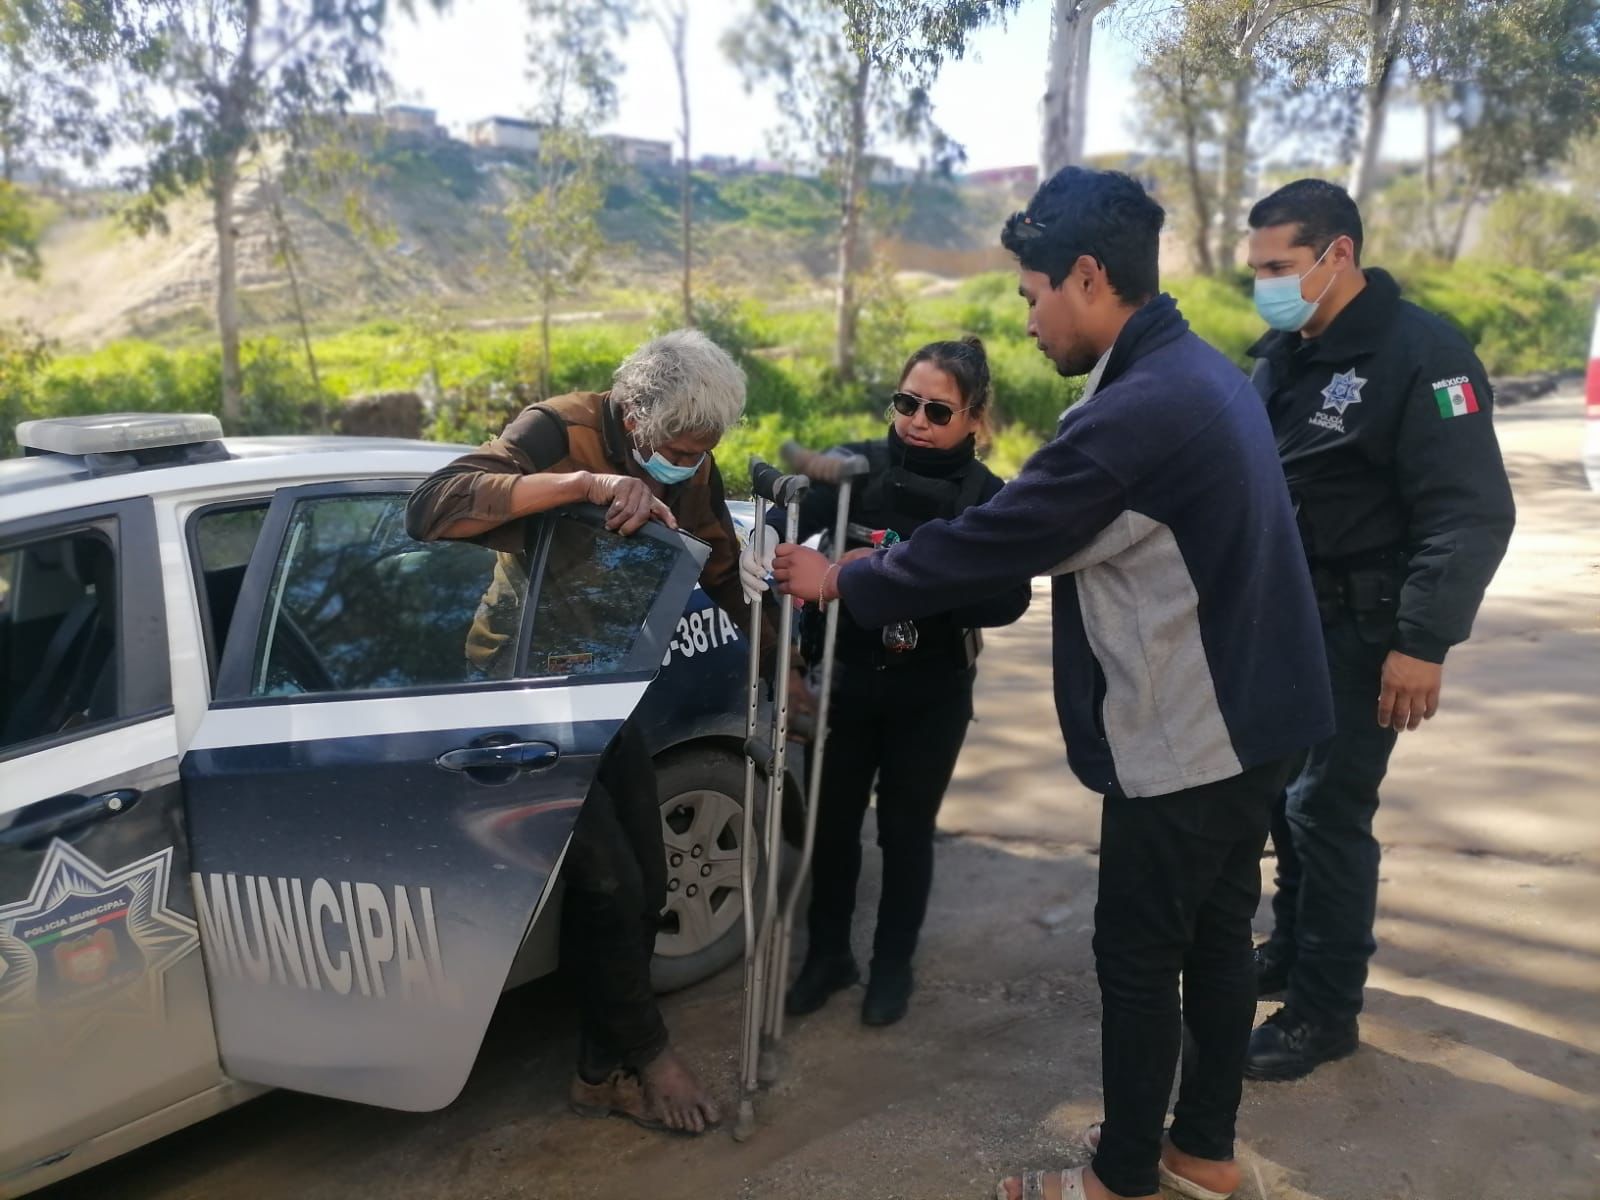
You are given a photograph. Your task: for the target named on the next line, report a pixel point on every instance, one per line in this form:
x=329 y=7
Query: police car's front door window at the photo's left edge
x=58 y=636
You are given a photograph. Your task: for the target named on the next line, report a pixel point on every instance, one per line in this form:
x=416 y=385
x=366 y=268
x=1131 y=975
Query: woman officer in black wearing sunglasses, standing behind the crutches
x=900 y=711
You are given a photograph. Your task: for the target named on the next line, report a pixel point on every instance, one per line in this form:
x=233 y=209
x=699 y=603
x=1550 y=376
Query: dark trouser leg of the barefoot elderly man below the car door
x=617 y=886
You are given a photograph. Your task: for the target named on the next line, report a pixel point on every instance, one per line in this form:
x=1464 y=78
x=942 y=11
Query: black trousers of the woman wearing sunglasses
x=905 y=729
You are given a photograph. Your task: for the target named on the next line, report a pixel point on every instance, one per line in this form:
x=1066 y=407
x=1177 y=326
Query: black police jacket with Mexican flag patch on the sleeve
x=1383 y=426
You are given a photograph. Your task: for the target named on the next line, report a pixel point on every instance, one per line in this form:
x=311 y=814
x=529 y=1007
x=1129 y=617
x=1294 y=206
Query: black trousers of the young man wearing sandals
x=1180 y=879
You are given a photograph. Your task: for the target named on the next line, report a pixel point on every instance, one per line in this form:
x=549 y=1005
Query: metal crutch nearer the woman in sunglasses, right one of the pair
x=842 y=471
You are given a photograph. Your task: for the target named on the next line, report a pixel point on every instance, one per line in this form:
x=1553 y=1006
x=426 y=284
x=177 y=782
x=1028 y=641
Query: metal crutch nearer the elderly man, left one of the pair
x=766 y=759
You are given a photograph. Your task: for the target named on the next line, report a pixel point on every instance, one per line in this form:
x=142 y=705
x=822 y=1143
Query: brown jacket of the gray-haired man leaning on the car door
x=577 y=433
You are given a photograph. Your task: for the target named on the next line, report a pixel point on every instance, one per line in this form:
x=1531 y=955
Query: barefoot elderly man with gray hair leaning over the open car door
x=644 y=450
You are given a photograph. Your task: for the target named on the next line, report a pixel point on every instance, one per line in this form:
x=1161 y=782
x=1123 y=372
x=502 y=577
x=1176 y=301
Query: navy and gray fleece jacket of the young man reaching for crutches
x=1186 y=636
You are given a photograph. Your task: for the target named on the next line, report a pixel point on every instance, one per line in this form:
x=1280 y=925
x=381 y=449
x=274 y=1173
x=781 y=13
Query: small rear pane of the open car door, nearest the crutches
x=594 y=596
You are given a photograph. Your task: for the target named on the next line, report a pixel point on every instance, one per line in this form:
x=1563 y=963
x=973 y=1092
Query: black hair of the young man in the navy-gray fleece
x=1105 y=215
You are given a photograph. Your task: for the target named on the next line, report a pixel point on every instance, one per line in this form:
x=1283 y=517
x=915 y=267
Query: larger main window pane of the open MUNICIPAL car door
x=358 y=606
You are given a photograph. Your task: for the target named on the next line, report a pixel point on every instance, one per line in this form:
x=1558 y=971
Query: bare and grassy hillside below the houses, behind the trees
x=442 y=246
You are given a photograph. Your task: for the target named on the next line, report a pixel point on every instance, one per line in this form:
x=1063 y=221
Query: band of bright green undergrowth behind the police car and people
x=1519 y=319
